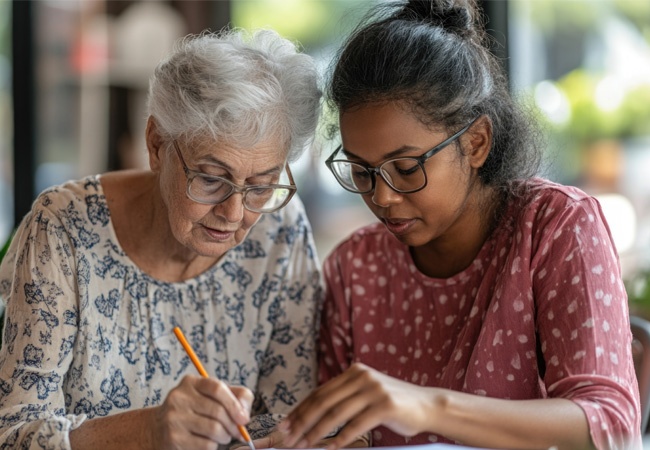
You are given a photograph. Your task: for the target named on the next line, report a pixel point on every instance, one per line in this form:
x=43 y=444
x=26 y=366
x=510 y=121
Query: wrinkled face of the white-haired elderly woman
x=212 y=230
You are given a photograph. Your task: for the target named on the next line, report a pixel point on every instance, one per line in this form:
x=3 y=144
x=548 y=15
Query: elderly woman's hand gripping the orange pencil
x=200 y=413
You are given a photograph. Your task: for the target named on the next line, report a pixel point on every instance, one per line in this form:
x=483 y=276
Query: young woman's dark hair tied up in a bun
x=434 y=56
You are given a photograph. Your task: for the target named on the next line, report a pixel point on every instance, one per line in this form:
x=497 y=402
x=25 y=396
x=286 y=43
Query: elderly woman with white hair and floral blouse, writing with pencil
x=102 y=269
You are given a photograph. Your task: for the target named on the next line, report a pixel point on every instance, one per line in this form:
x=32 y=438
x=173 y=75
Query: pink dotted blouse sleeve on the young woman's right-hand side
x=583 y=324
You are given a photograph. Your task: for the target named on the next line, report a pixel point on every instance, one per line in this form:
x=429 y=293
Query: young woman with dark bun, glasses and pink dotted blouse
x=487 y=307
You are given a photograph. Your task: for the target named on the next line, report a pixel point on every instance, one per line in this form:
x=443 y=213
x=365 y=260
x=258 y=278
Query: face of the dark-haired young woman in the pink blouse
x=374 y=133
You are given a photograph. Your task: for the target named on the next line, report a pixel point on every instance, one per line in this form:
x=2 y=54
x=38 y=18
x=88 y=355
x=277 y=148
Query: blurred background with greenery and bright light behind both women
x=74 y=74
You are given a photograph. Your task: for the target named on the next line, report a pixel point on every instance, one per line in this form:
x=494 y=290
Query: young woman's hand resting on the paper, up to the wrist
x=361 y=399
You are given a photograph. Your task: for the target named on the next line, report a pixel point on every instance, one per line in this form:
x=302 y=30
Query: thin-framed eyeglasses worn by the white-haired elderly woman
x=212 y=190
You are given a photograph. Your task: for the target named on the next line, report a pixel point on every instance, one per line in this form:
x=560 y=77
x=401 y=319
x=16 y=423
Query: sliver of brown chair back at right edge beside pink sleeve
x=641 y=355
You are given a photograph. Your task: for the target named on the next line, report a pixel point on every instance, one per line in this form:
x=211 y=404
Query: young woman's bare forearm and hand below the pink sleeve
x=366 y=398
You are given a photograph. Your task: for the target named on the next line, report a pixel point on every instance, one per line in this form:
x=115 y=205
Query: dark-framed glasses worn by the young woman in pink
x=404 y=175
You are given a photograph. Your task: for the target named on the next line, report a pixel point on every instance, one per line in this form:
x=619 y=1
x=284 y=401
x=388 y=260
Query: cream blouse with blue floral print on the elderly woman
x=88 y=334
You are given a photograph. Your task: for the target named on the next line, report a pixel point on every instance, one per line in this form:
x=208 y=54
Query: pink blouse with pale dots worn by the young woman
x=541 y=312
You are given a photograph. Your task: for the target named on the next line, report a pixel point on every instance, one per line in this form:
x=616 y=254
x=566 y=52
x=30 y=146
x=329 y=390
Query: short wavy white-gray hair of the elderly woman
x=237 y=86
